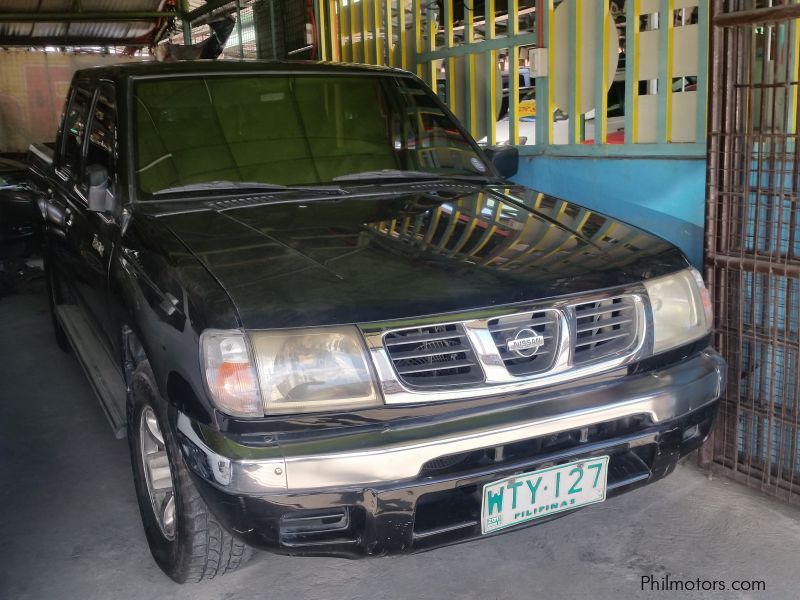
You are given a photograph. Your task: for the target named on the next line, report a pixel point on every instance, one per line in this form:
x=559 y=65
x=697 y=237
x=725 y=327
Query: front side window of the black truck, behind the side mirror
x=101 y=155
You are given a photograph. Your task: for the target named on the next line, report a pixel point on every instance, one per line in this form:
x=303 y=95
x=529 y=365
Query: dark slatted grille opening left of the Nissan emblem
x=433 y=356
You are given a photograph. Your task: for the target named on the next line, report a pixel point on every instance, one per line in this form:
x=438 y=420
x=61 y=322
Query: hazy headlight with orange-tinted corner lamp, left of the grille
x=290 y=371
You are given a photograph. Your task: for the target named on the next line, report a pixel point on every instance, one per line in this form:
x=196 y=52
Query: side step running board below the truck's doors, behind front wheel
x=108 y=384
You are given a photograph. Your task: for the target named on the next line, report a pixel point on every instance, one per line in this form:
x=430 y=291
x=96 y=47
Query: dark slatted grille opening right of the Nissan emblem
x=604 y=328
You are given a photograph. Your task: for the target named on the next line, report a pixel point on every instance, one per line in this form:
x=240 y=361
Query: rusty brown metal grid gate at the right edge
x=753 y=240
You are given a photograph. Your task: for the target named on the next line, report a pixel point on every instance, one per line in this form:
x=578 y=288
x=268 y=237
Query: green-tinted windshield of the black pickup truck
x=291 y=130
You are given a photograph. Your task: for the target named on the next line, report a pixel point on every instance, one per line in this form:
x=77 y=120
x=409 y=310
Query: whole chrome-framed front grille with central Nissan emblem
x=553 y=343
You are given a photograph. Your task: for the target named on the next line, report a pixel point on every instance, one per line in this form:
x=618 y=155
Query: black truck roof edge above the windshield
x=130 y=70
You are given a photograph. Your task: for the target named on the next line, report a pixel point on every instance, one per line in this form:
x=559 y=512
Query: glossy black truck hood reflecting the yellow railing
x=403 y=251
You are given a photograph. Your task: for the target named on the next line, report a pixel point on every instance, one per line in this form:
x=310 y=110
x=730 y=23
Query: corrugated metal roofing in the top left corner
x=75 y=33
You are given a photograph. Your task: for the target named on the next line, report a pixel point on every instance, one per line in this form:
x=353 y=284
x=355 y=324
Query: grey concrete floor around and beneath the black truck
x=70 y=526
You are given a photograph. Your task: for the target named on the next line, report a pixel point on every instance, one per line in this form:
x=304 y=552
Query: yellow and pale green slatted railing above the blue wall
x=662 y=47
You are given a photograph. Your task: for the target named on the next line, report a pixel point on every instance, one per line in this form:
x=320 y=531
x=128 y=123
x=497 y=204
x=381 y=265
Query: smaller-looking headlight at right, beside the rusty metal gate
x=681 y=309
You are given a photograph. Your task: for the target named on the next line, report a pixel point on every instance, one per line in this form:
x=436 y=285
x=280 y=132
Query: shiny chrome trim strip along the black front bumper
x=662 y=395
